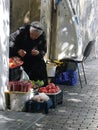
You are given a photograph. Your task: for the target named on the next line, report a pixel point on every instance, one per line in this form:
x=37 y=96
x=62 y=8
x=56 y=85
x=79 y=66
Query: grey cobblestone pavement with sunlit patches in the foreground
x=79 y=110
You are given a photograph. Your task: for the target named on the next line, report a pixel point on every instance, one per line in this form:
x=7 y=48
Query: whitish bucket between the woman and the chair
x=51 y=69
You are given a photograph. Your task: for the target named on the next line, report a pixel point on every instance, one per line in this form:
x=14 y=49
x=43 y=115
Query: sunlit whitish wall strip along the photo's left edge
x=4 y=49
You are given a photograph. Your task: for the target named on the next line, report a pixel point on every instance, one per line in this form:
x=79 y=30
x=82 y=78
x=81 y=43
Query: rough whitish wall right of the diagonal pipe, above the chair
x=87 y=11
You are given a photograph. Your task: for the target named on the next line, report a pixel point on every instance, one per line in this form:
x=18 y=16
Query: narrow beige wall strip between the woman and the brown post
x=45 y=18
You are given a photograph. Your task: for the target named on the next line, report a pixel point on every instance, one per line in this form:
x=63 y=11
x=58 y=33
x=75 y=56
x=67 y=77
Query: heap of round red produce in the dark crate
x=50 y=88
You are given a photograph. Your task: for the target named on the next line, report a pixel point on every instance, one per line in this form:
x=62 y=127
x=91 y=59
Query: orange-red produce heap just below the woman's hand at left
x=15 y=62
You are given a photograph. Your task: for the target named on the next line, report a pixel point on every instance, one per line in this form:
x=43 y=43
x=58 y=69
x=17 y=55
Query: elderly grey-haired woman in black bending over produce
x=29 y=43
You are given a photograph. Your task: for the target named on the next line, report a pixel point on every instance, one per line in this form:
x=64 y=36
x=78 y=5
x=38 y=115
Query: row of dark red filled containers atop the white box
x=21 y=86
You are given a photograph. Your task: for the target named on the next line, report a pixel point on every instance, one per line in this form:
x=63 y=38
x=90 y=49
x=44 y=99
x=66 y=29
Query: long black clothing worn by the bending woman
x=34 y=65
